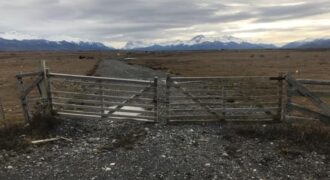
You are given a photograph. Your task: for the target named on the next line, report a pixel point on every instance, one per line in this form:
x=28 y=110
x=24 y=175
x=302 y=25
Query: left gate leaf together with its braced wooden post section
x=88 y=96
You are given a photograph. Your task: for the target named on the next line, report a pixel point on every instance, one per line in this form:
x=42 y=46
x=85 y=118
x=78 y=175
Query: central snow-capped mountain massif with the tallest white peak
x=199 y=42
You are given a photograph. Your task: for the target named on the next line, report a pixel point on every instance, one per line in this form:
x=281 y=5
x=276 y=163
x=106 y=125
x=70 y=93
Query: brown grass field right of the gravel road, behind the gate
x=309 y=64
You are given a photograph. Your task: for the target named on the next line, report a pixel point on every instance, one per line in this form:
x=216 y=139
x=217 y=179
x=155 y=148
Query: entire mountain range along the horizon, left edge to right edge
x=199 y=42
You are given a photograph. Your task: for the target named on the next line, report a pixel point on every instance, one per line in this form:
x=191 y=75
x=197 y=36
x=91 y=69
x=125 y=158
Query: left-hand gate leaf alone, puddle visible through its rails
x=101 y=97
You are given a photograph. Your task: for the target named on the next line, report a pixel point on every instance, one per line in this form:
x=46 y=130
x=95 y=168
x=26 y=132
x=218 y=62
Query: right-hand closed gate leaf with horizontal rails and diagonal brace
x=246 y=98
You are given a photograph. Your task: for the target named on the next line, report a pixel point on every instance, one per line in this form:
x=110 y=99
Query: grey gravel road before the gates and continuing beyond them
x=133 y=150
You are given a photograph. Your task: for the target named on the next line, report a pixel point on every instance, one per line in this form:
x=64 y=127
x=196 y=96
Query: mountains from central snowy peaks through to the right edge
x=201 y=42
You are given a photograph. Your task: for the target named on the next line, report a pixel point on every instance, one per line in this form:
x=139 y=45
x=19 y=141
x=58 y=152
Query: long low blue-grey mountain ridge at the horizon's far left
x=44 y=45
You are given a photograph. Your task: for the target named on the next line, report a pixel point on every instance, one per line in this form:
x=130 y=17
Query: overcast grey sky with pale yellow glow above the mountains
x=114 y=22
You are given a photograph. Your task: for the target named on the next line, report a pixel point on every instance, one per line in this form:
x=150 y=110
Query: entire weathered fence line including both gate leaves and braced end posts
x=187 y=99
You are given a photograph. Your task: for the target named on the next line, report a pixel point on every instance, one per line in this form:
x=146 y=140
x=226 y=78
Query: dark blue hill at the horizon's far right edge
x=309 y=44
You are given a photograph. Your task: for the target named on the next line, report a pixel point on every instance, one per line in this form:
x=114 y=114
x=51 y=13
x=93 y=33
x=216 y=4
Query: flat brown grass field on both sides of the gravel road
x=306 y=64
